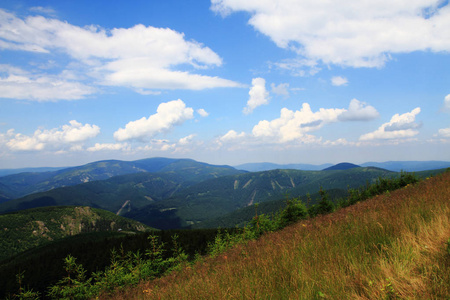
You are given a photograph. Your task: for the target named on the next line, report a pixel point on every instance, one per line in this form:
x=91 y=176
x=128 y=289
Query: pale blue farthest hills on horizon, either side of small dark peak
x=395 y=166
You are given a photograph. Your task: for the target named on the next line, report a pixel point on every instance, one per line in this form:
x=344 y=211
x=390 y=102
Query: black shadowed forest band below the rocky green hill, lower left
x=43 y=266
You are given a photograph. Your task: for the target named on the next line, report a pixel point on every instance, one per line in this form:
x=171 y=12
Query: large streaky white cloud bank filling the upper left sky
x=143 y=58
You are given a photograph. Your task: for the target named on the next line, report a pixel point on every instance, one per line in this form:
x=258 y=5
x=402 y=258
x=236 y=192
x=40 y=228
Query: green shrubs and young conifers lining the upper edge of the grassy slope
x=131 y=268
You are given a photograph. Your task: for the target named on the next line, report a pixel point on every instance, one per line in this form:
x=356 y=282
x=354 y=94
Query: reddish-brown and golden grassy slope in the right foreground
x=391 y=246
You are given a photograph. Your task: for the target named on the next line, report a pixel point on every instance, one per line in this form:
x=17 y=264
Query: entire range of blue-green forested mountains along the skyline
x=169 y=193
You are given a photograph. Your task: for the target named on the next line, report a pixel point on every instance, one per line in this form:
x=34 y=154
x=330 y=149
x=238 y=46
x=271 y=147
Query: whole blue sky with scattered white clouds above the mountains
x=224 y=81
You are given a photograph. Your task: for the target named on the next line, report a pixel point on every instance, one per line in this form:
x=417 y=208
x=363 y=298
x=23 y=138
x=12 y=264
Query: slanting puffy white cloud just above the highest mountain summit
x=167 y=116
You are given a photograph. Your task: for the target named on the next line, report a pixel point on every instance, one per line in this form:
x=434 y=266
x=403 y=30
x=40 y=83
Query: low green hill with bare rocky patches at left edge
x=26 y=229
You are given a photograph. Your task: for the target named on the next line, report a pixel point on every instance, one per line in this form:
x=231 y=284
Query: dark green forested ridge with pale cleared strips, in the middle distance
x=214 y=198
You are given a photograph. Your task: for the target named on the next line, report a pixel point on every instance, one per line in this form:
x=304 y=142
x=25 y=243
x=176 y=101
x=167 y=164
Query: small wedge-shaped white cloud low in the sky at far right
x=399 y=127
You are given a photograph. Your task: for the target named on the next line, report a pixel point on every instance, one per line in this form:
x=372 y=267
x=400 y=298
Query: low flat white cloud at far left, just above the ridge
x=67 y=136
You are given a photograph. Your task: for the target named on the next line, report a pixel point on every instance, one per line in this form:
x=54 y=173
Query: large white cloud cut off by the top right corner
x=357 y=34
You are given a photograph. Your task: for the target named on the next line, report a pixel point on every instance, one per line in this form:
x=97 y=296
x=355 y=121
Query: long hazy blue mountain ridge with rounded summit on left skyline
x=19 y=185
